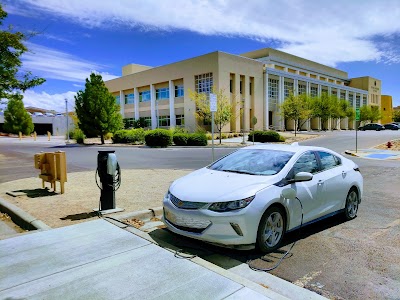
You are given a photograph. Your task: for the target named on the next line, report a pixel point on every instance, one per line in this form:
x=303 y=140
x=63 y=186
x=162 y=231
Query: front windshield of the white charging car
x=253 y=162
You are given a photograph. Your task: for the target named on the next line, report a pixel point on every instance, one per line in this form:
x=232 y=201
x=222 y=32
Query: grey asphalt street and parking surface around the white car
x=359 y=259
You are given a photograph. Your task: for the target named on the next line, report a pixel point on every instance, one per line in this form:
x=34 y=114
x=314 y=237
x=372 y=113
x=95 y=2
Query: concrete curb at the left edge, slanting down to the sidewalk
x=22 y=218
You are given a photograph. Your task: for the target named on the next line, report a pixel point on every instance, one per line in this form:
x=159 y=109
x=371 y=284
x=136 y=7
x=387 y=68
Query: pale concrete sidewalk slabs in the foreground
x=99 y=260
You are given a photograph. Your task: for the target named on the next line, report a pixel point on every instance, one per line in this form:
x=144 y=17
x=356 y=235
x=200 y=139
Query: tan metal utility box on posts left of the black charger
x=53 y=167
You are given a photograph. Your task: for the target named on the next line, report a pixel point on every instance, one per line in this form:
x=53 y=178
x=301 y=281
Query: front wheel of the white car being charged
x=271 y=229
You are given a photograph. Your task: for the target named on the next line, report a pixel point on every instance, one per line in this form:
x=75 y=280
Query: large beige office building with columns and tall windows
x=257 y=83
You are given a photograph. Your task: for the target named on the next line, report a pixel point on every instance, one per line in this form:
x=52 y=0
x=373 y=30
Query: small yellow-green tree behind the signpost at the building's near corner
x=224 y=111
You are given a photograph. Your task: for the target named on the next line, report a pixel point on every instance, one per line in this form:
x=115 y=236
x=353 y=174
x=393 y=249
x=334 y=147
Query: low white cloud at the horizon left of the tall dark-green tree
x=50 y=101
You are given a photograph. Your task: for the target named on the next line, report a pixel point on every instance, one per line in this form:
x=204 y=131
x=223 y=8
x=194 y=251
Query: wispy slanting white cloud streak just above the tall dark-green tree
x=53 y=64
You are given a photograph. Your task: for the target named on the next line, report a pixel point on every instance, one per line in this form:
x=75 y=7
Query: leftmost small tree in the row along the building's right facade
x=296 y=108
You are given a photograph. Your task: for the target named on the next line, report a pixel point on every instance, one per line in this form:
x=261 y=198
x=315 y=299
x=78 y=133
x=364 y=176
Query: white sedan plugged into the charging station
x=255 y=195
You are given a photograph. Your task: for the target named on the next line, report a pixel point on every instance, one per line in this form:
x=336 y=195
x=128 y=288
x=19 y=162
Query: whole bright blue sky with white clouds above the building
x=75 y=37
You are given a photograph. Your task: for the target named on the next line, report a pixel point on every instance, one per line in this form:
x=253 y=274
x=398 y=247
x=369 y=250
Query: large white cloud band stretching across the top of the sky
x=325 y=31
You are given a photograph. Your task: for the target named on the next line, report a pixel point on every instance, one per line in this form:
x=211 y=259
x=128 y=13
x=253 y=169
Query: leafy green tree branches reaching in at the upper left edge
x=12 y=80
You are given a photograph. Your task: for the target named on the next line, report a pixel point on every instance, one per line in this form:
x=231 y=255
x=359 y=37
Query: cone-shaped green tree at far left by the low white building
x=16 y=118
